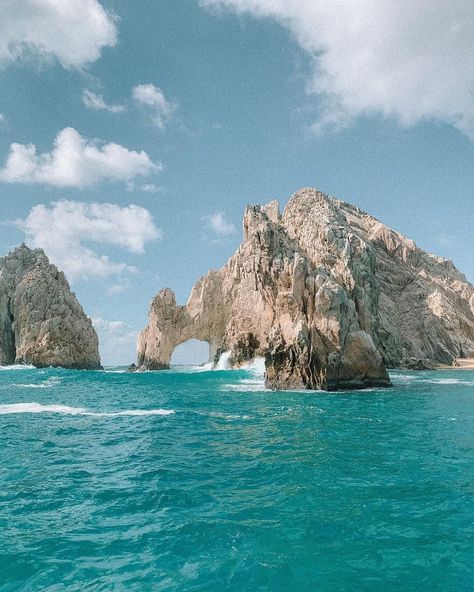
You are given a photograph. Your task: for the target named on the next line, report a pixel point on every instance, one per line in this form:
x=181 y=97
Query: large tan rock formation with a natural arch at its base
x=328 y=294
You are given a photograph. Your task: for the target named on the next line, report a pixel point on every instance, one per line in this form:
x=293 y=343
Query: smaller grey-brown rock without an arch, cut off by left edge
x=41 y=320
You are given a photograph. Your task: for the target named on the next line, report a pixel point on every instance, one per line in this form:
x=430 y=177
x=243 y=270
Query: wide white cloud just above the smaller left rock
x=64 y=228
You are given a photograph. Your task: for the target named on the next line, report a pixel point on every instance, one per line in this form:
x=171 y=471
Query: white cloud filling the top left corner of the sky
x=72 y=31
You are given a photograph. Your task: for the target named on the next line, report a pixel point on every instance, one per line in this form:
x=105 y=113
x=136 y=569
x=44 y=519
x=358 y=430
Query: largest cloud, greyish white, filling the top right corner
x=410 y=60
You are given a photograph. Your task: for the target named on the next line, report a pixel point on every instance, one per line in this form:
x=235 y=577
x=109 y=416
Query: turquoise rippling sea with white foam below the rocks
x=195 y=480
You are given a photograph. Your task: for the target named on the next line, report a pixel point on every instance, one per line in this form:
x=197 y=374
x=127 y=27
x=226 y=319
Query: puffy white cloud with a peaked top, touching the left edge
x=75 y=162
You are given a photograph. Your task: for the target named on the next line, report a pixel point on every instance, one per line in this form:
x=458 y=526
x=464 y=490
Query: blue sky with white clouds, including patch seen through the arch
x=132 y=135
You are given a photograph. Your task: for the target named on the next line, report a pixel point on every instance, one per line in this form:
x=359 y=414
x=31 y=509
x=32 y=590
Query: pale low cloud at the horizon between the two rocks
x=118 y=341
